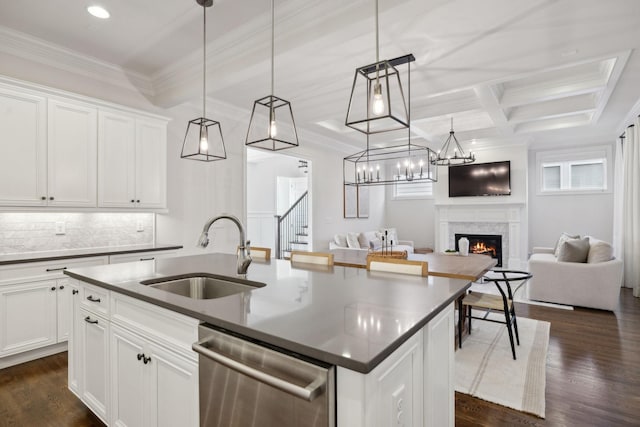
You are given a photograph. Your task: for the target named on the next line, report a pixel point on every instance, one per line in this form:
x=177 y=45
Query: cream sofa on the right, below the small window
x=583 y=284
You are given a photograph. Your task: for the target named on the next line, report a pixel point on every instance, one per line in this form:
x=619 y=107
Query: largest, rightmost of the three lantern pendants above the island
x=377 y=103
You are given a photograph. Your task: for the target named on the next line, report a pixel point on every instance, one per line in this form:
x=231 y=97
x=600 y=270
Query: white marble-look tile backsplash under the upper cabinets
x=29 y=232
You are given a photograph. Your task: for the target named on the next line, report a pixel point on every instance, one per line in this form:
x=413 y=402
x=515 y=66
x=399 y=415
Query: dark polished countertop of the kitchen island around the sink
x=344 y=316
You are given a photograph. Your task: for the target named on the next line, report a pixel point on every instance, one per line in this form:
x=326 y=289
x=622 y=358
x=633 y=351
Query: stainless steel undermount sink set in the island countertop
x=202 y=286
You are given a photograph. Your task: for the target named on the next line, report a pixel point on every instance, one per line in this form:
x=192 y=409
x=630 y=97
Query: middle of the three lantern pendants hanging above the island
x=272 y=126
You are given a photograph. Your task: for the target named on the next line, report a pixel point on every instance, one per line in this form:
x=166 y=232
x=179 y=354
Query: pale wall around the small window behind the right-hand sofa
x=583 y=214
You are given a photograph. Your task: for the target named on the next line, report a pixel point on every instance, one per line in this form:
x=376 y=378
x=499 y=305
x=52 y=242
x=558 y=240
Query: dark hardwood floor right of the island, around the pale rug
x=593 y=371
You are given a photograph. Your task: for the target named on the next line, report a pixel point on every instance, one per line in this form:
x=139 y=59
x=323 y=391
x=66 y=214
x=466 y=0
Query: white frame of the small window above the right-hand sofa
x=567 y=158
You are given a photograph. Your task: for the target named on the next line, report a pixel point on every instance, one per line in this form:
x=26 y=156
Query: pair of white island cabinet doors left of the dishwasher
x=150 y=385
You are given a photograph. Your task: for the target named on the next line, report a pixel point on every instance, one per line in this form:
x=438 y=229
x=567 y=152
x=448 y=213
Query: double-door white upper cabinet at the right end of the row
x=132 y=161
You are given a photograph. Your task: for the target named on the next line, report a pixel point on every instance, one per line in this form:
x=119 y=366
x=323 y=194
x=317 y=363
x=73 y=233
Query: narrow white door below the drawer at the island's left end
x=94 y=369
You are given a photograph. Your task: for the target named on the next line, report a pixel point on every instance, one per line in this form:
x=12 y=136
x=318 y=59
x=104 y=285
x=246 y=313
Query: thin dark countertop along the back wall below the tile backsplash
x=81 y=253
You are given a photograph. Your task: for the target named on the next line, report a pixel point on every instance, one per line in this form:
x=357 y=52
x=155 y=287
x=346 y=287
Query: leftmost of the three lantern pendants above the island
x=203 y=140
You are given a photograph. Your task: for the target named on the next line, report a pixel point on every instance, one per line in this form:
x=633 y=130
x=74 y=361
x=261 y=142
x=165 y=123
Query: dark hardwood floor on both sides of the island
x=593 y=378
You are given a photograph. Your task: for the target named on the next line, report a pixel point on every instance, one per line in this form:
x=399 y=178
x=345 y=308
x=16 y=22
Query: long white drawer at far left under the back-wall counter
x=27 y=272
